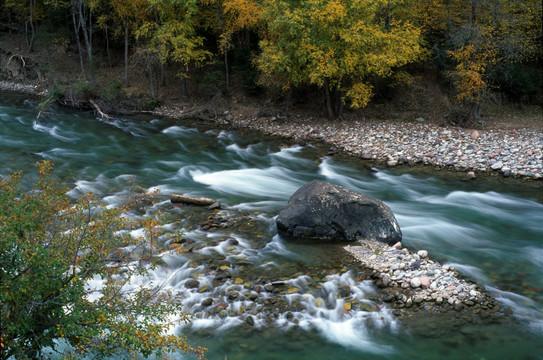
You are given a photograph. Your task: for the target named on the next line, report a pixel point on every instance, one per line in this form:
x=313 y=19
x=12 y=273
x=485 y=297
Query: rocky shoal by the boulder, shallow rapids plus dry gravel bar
x=224 y=279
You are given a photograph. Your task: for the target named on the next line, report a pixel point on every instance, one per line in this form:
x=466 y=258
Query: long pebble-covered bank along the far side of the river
x=511 y=153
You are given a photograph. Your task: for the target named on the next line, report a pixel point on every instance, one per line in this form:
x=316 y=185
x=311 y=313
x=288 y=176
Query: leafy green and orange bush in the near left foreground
x=66 y=277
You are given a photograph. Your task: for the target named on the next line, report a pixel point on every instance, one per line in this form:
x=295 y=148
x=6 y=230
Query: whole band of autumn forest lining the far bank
x=347 y=50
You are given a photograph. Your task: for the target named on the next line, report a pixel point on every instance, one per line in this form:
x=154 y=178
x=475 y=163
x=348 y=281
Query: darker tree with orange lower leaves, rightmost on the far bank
x=481 y=38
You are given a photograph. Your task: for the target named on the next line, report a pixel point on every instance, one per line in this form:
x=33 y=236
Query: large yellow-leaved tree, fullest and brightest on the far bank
x=336 y=45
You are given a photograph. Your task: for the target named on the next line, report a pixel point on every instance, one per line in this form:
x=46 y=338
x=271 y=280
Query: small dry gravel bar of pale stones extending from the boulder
x=412 y=281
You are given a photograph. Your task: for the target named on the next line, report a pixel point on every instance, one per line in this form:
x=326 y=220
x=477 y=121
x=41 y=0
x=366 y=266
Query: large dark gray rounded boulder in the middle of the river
x=323 y=211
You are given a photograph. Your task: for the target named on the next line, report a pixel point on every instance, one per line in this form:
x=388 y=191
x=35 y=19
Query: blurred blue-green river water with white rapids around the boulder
x=490 y=229
